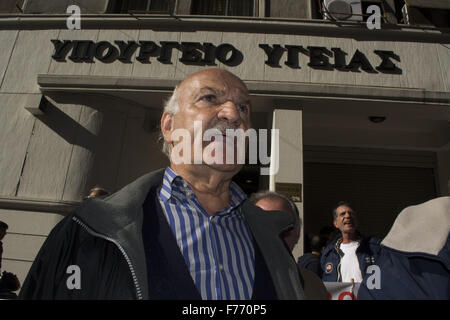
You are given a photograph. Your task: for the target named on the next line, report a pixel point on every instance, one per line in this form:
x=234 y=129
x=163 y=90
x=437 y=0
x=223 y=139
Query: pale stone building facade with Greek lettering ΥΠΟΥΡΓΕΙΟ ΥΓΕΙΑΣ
x=362 y=114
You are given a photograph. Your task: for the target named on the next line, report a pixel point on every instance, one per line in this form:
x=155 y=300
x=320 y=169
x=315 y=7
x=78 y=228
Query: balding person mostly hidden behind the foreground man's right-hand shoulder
x=274 y=201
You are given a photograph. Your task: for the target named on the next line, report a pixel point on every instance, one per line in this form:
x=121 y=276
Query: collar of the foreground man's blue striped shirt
x=237 y=195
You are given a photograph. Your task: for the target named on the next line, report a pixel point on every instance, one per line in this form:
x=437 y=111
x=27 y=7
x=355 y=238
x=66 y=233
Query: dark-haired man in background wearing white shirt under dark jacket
x=348 y=256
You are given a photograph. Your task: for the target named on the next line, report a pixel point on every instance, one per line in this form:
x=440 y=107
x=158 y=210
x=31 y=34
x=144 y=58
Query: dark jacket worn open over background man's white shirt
x=330 y=261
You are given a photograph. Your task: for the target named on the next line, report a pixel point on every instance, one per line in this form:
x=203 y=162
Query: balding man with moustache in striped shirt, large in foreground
x=183 y=232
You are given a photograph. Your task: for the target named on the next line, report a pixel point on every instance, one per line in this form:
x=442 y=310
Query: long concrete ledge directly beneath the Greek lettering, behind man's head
x=114 y=85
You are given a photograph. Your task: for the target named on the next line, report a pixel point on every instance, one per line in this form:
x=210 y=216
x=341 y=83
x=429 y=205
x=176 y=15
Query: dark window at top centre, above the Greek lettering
x=223 y=7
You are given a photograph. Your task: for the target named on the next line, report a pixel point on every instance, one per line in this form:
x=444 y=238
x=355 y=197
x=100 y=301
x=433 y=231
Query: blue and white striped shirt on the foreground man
x=218 y=249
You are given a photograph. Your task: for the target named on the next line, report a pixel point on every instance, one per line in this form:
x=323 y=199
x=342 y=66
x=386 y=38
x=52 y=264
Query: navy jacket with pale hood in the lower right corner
x=414 y=261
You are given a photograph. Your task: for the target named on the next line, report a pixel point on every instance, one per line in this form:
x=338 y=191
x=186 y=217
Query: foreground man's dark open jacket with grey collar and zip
x=103 y=237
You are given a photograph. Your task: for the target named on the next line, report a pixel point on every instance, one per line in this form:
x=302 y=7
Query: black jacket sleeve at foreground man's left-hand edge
x=47 y=271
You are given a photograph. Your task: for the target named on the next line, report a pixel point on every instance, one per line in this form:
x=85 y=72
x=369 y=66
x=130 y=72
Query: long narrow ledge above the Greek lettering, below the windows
x=351 y=29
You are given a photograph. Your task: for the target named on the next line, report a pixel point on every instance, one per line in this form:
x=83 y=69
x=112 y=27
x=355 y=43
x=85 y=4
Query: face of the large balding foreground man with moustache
x=216 y=99
